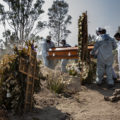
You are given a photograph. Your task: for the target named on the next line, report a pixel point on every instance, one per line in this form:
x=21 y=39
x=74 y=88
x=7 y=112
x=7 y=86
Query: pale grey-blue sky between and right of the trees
x=101 y=13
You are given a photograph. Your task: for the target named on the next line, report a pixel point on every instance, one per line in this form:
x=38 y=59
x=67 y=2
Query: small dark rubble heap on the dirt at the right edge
x=115 y=97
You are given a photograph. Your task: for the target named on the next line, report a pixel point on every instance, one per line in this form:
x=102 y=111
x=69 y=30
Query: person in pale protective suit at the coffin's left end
x=45 y=46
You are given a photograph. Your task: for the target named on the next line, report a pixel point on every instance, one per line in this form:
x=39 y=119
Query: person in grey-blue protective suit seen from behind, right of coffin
x=104 y=46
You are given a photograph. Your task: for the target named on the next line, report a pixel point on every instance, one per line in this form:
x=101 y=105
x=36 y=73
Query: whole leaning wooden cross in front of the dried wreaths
x=29 y=69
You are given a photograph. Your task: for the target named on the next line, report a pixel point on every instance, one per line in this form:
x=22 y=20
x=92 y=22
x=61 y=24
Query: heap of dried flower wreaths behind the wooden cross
x=13 y=82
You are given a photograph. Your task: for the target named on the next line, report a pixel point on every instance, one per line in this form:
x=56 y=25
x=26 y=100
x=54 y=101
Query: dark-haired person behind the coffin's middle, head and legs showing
x=64 y=61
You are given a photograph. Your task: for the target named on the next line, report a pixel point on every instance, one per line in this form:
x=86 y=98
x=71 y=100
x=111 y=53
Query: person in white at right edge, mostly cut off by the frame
x=117 y=37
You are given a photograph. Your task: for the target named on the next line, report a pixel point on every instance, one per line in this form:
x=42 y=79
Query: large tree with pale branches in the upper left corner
x=23 y=18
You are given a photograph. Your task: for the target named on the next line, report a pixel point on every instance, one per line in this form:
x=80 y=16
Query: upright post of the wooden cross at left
x=30 y=81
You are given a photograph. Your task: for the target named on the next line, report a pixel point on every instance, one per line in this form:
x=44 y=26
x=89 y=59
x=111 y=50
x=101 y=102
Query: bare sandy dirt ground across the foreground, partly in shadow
x=88 y=104
